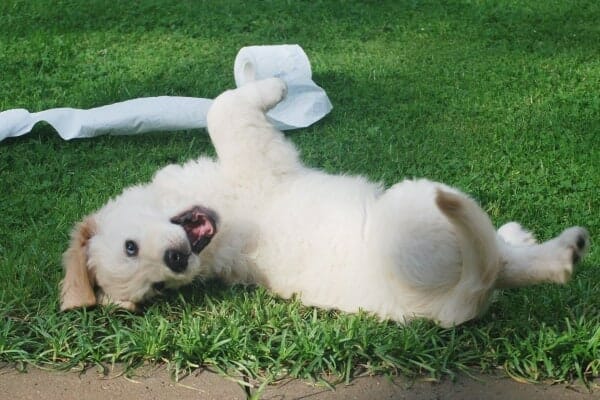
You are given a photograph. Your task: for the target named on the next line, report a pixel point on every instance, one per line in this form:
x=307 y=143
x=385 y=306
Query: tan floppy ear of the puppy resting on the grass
x=77 y=288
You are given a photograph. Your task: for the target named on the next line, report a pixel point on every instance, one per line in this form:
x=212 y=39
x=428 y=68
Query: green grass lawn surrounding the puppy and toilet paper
x=498 y=98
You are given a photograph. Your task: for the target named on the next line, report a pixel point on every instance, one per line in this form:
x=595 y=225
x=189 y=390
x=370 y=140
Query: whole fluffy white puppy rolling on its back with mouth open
x=257 y=215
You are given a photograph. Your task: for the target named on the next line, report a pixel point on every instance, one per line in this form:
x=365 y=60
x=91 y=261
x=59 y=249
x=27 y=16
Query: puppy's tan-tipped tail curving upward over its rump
x=477 y=241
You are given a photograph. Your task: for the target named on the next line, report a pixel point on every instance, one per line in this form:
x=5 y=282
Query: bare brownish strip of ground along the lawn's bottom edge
x=155 y=383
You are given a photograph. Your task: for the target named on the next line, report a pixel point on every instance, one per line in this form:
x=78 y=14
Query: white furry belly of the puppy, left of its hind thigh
x=313 y=243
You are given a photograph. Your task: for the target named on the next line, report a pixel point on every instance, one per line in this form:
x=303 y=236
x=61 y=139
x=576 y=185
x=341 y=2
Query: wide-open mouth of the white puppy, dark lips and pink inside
x=199 y=224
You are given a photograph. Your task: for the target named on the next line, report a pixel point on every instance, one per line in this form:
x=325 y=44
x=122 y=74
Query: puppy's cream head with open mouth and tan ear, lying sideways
x=133 y=248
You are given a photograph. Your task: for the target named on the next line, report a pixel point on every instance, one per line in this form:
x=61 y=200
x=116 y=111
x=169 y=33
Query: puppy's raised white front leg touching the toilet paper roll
x=249 y=147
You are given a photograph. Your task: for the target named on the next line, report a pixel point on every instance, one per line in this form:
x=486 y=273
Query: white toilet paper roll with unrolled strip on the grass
x=305 y=103
